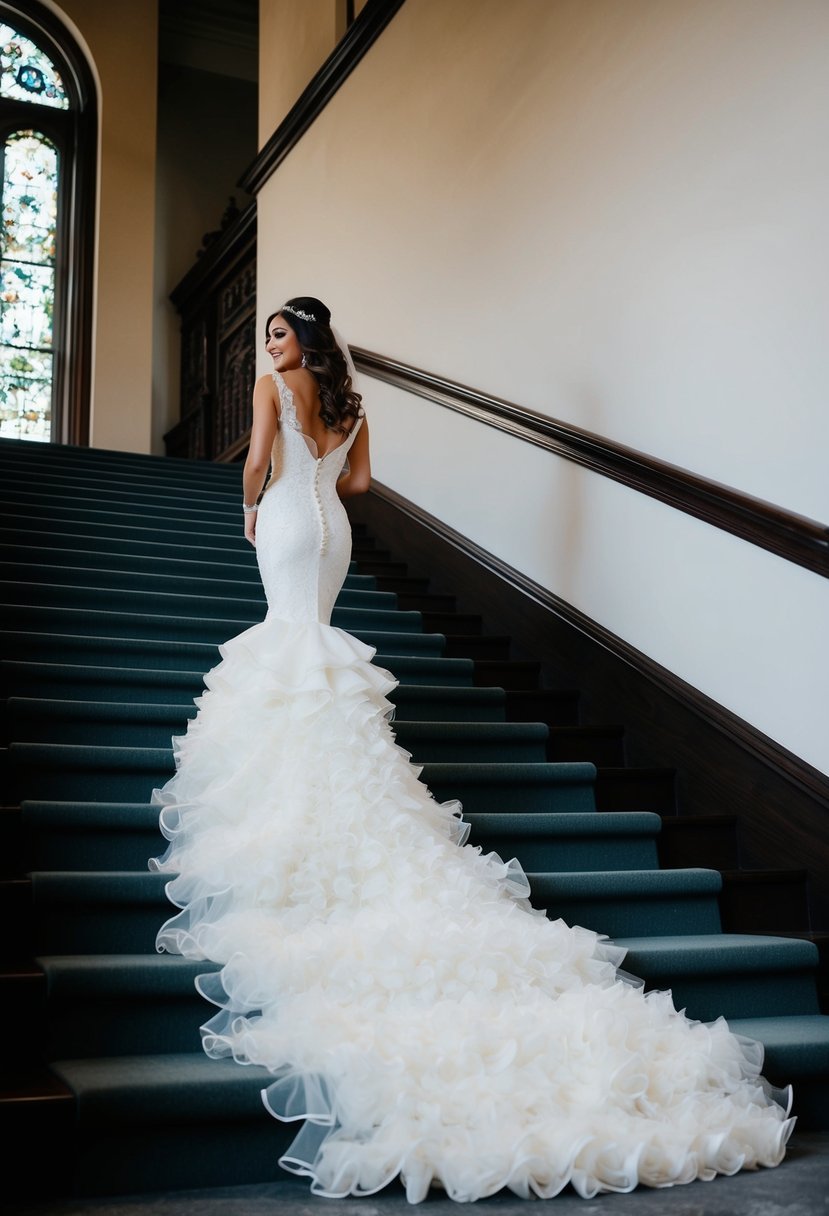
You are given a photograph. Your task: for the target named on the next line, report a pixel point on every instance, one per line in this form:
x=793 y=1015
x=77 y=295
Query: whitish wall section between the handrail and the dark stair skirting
x=730 y=618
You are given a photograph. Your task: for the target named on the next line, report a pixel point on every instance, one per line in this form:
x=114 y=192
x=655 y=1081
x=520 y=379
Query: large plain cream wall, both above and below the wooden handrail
x=613 y=213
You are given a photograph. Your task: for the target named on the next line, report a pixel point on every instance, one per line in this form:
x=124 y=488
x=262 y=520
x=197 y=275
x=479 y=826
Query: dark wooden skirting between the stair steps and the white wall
x=724 y=765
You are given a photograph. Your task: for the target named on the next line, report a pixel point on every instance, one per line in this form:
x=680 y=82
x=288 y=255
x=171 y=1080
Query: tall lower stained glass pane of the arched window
x=27 y=285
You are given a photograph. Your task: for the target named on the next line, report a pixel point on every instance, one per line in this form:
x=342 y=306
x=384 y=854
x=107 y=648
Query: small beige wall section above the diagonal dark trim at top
x=296 y=38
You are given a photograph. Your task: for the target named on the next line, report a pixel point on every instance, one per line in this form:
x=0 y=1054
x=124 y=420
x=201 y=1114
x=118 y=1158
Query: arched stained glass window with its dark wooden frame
x=48 y=156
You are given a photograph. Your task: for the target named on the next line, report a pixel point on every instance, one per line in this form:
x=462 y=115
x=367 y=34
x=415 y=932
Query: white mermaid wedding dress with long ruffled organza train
x=419 y=1016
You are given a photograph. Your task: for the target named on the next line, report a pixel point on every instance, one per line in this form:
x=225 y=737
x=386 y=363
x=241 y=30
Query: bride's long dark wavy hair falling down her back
x=324 y=359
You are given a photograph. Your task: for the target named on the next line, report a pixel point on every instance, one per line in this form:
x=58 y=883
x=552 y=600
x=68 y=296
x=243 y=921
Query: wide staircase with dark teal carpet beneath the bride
x=120 y=577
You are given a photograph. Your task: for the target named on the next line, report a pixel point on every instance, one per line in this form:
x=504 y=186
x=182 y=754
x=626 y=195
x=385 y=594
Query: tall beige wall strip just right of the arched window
x=122 y=43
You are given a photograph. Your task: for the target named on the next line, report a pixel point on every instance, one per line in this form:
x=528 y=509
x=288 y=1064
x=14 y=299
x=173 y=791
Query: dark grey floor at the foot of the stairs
x=798 y=1187
